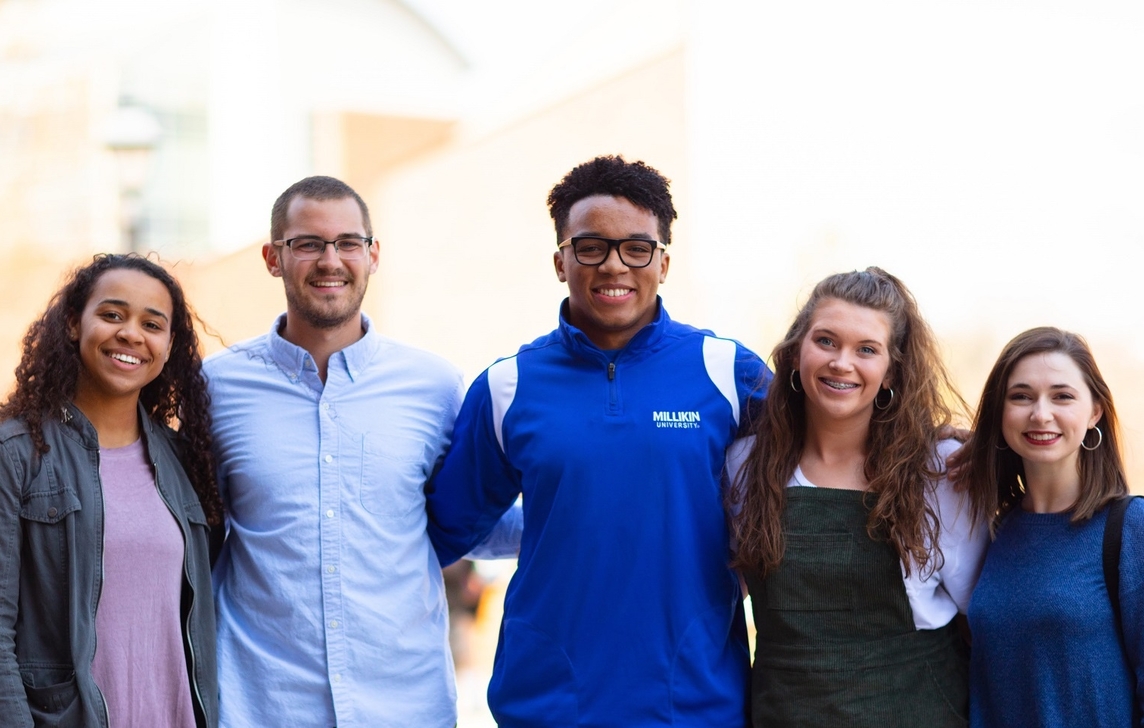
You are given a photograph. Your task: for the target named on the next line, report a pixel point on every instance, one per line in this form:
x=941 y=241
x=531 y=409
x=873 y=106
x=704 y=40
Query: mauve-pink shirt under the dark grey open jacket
x=140 y=666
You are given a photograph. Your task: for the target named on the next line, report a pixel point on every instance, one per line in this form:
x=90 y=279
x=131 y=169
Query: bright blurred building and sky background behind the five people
x=989 y=154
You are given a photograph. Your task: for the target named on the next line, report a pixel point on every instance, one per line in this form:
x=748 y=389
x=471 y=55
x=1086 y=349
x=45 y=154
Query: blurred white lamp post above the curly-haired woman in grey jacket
x=132 y=134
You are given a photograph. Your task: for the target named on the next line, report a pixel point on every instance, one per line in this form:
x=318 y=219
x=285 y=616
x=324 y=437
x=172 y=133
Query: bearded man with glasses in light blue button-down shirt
x=330 y=598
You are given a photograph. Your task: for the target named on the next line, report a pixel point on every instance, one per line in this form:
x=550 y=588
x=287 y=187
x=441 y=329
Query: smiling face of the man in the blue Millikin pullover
x=610 y=303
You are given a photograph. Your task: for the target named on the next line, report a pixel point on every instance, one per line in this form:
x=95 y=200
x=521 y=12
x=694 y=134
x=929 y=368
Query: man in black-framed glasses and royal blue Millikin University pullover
x=623 y=611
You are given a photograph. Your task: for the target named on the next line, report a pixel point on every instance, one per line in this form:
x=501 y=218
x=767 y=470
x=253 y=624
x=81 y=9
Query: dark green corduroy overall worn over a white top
x=837 y=643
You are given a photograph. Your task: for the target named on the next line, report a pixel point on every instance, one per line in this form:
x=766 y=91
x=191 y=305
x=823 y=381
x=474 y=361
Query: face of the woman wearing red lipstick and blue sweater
x=1048 y=409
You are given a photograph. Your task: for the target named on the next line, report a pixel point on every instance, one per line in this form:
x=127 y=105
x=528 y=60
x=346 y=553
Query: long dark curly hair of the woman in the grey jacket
x=178 y=398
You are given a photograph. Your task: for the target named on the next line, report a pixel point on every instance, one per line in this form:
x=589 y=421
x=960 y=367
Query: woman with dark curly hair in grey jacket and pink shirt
x=107 y=501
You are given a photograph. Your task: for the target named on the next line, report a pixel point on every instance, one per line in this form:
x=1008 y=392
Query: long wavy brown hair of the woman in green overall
x=901 y=461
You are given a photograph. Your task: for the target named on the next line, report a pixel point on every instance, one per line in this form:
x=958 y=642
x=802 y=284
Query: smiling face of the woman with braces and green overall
x=844 y=361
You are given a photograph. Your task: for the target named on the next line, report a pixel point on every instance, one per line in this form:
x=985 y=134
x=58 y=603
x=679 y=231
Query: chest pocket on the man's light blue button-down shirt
x=394 y=472
